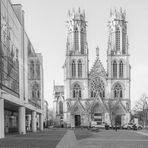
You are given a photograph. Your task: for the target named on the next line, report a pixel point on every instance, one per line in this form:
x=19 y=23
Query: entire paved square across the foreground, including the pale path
x=78 y=138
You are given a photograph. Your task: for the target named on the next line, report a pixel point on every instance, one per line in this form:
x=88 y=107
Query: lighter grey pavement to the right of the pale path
x=113 y=139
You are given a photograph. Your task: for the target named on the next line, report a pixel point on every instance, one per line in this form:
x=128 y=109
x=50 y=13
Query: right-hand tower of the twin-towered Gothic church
x=118 y=67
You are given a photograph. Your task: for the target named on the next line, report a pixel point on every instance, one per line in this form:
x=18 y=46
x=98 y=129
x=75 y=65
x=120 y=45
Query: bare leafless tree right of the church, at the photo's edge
x=141 y=108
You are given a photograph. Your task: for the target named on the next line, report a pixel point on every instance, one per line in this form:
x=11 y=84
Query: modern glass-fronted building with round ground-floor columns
x=21 y=74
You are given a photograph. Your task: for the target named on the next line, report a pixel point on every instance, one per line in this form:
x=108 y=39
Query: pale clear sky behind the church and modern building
x=45 y=24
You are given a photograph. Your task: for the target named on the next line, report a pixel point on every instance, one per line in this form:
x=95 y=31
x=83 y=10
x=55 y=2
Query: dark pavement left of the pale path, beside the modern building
x=46 y=139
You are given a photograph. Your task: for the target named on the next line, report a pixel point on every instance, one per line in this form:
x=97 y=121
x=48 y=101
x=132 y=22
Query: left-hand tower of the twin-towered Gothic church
x=75 y=68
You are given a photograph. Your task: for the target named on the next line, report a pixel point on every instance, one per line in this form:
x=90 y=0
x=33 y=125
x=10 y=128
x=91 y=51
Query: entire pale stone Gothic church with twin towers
x=94 y=95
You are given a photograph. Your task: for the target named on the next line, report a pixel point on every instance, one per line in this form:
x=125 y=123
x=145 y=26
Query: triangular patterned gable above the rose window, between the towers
x=98 y=68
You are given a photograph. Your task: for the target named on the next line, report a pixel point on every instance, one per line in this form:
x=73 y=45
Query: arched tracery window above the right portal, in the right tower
x=118 y=91
